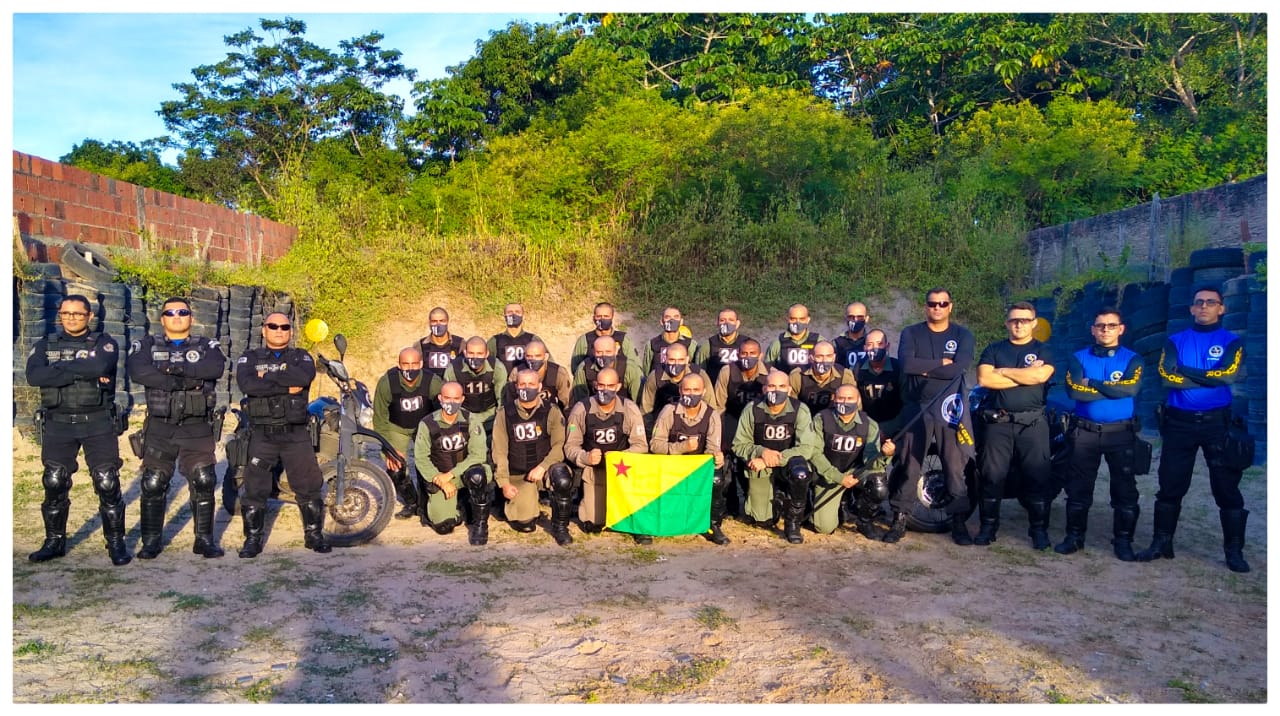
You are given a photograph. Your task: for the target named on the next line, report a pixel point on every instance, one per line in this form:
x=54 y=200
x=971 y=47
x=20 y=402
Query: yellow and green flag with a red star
x=659 y=495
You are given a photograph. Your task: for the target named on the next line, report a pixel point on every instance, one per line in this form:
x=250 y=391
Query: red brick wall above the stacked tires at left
x=54 y=203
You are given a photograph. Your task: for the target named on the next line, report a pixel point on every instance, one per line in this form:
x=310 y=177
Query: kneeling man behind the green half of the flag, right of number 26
x=693 y=427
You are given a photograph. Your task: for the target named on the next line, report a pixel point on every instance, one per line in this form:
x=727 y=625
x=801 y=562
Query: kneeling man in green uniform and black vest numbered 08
x=775 y=439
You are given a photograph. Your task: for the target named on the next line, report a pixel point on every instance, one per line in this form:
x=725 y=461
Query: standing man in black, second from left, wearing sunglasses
x=180 y=372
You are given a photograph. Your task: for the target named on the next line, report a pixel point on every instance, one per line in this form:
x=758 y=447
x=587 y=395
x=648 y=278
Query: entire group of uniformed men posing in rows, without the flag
x=802 y=430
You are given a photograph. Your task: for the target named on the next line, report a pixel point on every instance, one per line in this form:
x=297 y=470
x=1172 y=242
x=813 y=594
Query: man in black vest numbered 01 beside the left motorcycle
x=403 y=398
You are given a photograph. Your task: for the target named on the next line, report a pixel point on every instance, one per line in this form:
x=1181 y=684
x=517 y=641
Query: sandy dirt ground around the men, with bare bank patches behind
x=417 y=618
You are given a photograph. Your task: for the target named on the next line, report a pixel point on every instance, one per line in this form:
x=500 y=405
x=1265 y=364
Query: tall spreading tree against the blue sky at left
x=259 y=112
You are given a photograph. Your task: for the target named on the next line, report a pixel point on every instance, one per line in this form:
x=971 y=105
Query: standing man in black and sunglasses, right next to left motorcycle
x=276 y=380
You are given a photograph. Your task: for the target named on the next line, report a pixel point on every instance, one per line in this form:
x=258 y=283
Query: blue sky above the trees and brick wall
x=81 y=76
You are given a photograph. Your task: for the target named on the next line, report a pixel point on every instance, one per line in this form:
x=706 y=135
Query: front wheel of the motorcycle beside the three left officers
x=368 y=503
